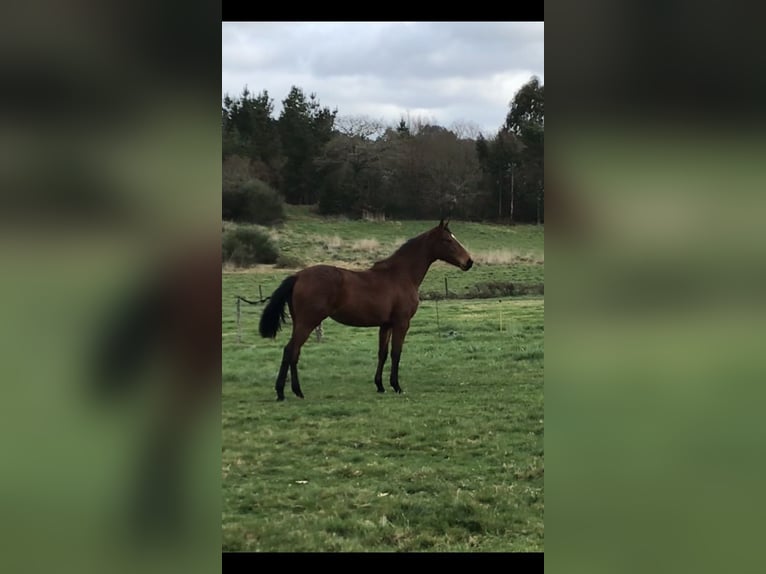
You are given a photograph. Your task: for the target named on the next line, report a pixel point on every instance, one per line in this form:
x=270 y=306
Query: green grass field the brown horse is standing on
x=453 y=464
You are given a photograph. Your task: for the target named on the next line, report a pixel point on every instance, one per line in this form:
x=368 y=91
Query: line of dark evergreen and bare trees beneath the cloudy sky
x=357 y=166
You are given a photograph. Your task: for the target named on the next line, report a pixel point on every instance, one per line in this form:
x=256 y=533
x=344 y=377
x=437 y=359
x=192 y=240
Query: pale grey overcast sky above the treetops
x=443 y=72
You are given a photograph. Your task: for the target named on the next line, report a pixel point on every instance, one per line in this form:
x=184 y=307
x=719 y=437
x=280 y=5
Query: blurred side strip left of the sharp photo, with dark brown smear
x=110 y=294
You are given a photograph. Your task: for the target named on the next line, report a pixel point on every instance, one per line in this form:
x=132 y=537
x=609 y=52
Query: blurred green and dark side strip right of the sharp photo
x=655 y=286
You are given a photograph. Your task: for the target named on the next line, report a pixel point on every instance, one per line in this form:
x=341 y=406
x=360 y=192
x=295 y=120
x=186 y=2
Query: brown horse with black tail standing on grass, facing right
x=384 y=296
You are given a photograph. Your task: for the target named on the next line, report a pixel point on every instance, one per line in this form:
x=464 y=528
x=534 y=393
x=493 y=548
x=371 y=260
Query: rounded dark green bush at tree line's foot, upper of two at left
x=253 y=202
